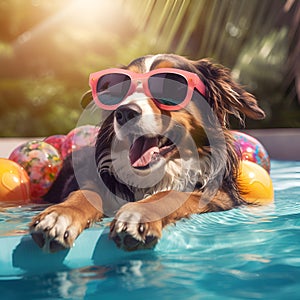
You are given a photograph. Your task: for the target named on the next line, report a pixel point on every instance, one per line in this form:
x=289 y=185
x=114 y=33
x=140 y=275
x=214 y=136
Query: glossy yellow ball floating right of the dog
x=255 y=184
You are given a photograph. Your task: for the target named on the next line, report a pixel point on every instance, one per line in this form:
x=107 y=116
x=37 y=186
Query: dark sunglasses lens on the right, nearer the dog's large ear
x=168 y=88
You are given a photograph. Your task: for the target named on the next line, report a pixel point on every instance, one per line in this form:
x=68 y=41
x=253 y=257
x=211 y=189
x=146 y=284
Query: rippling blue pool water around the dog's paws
x=245 y=253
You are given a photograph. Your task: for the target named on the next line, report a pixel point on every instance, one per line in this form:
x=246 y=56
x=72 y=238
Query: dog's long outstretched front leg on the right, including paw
x=138 y=225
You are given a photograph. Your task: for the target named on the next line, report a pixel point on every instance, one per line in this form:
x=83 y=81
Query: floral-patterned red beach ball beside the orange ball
x=42 y=163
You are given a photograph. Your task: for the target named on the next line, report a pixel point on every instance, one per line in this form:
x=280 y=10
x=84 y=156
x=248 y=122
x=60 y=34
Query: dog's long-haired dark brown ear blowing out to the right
x=226 y=96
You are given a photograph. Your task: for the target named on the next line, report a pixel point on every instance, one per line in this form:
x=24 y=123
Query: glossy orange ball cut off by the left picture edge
x=14 y=182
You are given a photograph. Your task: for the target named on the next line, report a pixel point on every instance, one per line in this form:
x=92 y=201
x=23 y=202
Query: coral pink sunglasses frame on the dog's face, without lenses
x=192 y=79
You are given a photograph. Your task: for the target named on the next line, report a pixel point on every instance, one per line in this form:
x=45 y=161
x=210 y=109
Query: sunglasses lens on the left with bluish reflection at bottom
x=112 y=88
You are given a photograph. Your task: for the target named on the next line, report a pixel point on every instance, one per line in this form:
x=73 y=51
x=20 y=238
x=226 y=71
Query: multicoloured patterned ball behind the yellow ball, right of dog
x=252 y=150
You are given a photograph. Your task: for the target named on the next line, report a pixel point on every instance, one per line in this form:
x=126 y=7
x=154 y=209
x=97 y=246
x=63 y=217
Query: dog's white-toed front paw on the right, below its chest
x=132 y=229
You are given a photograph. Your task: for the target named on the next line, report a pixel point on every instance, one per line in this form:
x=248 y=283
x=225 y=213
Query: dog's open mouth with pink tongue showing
x=146 y=151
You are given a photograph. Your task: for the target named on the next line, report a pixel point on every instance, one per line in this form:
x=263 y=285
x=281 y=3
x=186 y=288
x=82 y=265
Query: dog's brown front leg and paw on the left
x=57 y=227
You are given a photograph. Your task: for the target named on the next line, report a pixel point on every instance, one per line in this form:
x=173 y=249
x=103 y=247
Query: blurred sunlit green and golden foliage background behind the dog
x=48 y=48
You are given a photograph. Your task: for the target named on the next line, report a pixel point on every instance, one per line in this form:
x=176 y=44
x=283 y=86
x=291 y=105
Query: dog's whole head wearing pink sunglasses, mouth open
x=166 y=123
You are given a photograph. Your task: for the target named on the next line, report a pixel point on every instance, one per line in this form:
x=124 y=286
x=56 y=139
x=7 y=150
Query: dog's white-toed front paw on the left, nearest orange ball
x=55 y=229
